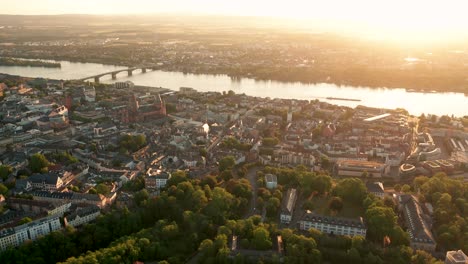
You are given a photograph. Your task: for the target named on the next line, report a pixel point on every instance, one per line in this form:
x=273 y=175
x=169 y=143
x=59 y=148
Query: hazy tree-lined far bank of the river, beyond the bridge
x=416 y=80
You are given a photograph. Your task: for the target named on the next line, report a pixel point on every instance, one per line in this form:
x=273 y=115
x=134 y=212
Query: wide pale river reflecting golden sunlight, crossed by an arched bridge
x=415 y=103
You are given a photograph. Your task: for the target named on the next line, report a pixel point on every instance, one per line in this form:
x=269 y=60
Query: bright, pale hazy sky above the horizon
x=402 y=18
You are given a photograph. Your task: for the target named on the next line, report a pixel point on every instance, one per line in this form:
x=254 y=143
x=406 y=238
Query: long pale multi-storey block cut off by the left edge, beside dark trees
x=13 y=237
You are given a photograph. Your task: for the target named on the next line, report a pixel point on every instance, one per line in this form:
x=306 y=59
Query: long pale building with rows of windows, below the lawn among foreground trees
x=333 y=225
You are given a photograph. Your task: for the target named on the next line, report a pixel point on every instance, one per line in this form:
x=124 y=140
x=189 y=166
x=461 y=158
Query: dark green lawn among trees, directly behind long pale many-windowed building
x=350 y=210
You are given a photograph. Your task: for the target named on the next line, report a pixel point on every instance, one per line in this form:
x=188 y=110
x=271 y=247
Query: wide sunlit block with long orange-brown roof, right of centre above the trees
x=356 y=168
